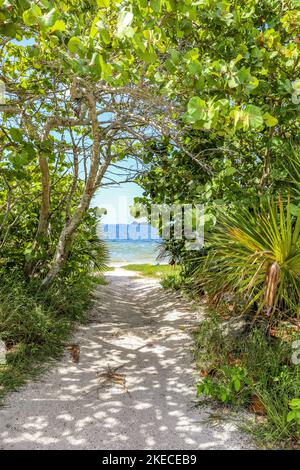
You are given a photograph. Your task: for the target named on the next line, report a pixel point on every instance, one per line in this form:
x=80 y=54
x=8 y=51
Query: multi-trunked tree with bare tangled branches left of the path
x=62 y=111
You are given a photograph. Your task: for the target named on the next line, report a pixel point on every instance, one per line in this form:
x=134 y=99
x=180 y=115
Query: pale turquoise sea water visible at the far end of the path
x=133 y=252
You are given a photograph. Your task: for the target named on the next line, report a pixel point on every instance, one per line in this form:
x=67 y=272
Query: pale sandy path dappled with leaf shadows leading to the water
x=135 y=325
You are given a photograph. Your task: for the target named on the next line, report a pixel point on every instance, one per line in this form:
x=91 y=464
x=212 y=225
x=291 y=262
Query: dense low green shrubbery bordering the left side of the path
x=36 y=324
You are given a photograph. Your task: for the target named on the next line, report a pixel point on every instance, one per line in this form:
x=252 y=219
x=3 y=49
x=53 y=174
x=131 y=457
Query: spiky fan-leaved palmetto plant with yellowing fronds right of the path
x=256 y=256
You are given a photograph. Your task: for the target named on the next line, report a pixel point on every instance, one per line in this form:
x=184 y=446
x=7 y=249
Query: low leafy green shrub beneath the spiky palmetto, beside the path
x=264 y=370
